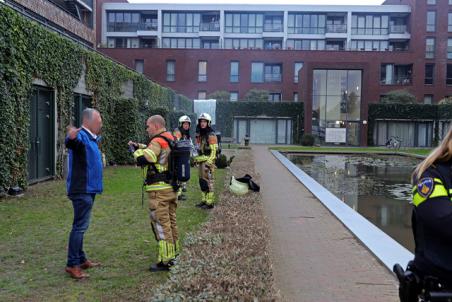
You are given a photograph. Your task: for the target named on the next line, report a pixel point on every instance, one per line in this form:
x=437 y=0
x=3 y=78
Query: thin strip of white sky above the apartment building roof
x=331 y=2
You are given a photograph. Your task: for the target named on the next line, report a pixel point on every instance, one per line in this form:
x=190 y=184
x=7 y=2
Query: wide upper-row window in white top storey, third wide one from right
x=244 y=22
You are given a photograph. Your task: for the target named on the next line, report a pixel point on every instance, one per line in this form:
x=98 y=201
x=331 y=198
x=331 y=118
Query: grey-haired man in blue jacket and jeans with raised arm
x=84 y=181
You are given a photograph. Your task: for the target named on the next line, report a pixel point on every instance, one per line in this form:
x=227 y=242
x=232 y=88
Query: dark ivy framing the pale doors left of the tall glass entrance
x=226 y=111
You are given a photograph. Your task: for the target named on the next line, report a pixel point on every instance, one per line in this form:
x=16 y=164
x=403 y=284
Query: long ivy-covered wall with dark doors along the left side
x=27 y=51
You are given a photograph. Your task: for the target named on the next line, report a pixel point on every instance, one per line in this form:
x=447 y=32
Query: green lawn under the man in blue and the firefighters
x=35 y=230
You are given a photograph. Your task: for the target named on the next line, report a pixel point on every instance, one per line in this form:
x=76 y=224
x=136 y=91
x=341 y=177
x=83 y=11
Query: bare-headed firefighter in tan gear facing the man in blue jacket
x=162 y=197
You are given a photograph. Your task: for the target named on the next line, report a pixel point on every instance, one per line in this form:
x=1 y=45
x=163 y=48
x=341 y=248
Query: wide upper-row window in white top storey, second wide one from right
x=306 y=23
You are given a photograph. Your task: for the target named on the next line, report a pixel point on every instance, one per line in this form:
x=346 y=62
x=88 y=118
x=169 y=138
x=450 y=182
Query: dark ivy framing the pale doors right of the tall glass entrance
x=407 y=112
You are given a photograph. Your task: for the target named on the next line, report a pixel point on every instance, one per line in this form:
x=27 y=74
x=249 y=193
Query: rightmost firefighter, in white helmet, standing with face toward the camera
x=206 y=141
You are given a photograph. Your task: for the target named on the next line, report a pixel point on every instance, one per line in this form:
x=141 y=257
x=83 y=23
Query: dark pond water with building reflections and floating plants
x=376 y=186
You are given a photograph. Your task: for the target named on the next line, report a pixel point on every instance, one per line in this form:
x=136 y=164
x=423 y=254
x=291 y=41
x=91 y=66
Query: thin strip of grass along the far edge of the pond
x=415 y=151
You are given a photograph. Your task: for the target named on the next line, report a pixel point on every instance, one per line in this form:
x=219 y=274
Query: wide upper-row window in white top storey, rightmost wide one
x=370 y=24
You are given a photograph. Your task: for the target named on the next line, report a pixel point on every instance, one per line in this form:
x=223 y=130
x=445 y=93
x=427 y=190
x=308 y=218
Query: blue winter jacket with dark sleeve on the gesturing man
x=84 y=164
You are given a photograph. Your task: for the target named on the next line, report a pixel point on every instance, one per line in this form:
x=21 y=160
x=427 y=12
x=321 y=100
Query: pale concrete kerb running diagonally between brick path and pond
x=386 y=249
